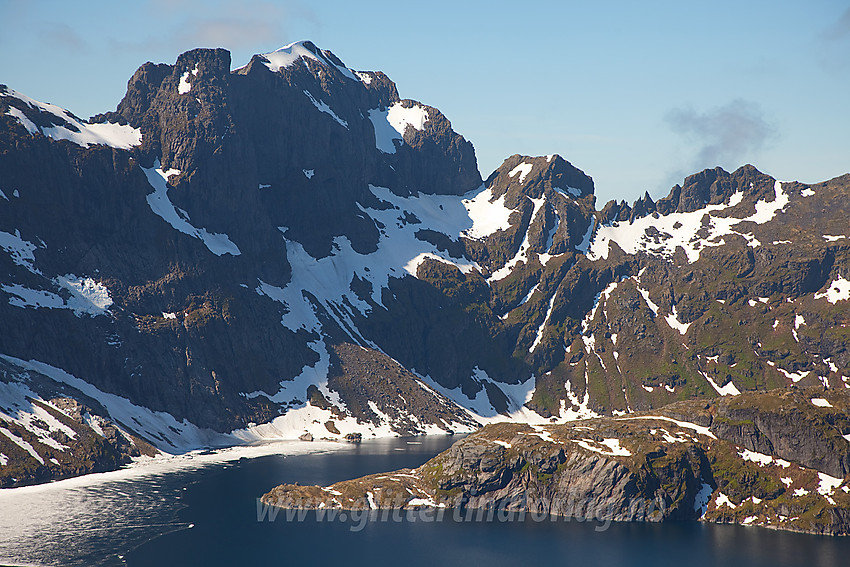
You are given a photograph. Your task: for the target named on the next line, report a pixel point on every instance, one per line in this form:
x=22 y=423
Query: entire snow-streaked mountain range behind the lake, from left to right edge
x=290 y=248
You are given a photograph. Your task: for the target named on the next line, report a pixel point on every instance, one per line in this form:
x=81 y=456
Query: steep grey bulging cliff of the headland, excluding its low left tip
x=541 y=475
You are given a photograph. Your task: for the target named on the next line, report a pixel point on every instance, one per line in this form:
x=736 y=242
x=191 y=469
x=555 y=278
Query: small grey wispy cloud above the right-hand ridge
x=727 y=135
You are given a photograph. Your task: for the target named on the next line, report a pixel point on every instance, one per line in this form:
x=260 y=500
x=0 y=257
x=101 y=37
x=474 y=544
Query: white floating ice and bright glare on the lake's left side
x=97 y=519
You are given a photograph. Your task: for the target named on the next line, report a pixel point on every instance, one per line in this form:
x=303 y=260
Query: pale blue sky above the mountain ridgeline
x=637 y=94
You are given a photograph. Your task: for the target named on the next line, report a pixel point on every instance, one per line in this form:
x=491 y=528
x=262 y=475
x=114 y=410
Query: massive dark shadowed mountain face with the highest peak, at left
x=186 y=232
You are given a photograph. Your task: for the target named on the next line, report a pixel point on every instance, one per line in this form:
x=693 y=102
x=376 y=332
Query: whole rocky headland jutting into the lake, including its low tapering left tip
x=558 y=470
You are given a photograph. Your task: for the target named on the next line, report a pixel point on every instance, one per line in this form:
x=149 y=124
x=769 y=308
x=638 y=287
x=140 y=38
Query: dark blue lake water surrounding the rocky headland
x=145 y=522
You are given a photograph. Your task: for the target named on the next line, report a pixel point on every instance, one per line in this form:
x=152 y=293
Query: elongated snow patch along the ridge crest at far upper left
x=68 y=127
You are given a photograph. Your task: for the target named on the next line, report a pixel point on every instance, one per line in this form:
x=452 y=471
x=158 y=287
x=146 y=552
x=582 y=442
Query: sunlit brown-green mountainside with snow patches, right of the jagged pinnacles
x=727 y=298
